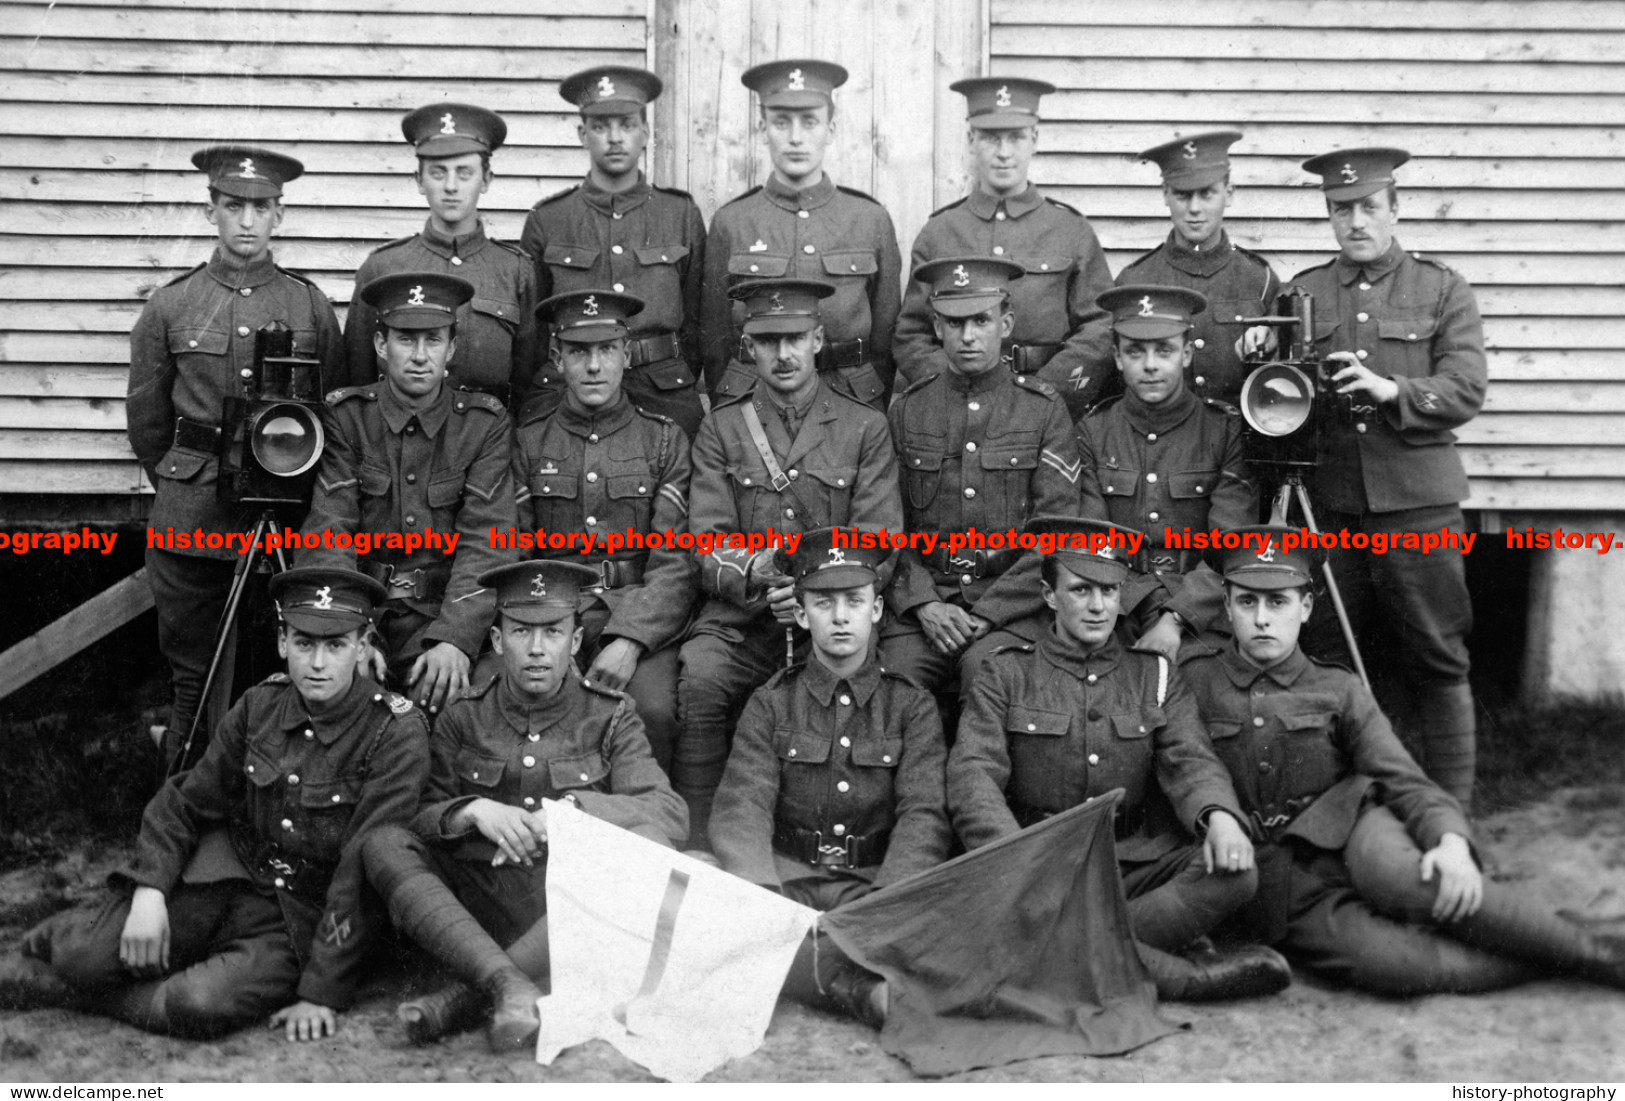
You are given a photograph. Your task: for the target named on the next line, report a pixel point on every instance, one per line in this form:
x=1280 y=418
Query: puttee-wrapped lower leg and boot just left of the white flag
x=430 y=913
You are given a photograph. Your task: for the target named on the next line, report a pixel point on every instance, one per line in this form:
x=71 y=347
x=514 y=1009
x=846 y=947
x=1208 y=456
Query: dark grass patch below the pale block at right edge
x=1530 y=751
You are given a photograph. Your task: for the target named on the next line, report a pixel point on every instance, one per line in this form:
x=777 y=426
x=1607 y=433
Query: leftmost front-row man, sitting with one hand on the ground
x=246 y=891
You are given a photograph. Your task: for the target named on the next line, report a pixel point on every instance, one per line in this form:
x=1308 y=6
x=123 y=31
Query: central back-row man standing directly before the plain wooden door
x=802 y=225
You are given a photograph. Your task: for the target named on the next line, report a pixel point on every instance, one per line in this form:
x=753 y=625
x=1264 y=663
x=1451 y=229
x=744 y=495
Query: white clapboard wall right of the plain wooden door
x=1512 y=111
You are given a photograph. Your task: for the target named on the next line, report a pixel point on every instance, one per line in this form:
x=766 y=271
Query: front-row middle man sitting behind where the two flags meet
x=834 y=787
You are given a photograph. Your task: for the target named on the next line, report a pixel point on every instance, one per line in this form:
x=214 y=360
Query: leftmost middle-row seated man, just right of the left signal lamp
x=410 y=460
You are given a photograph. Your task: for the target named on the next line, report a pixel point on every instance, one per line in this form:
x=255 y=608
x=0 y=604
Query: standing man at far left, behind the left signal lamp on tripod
x=191 y=350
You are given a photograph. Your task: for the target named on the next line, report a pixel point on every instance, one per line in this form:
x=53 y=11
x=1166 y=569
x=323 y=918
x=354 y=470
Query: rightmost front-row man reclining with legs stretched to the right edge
x=1367 y=868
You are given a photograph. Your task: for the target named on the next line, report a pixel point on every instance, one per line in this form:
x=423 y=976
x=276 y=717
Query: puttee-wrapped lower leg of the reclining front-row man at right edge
x=1515 y=926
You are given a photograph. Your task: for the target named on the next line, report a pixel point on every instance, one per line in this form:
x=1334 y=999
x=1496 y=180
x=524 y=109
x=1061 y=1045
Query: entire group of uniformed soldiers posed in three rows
x=833 y=715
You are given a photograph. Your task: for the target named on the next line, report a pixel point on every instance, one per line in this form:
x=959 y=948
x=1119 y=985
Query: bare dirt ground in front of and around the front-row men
x=1569 y=850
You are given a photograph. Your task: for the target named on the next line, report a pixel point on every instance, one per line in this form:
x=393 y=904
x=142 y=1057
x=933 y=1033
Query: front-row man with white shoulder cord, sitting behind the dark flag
x=1055 y=723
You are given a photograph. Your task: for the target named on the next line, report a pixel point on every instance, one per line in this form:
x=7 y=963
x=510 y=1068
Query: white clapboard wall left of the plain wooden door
x=102 y=106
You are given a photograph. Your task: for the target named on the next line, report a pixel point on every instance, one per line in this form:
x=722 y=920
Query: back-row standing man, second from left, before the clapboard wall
x=496 y=332
